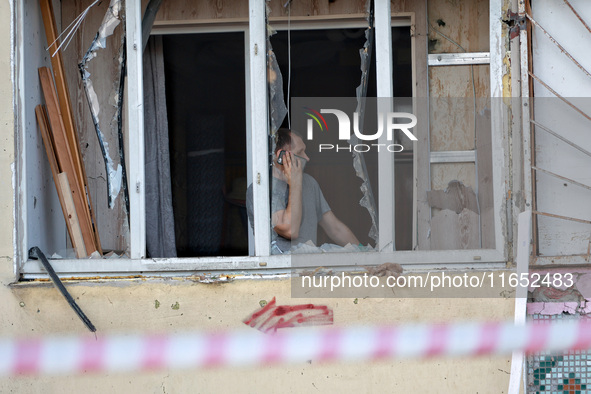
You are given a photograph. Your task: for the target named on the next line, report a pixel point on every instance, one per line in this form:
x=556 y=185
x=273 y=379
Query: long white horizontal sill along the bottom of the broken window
x=256 y=267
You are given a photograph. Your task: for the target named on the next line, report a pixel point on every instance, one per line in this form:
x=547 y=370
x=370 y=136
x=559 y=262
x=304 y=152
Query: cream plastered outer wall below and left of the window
x=129 y=306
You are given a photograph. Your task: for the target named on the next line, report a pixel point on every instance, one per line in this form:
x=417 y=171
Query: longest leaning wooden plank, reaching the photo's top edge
x=63 y=95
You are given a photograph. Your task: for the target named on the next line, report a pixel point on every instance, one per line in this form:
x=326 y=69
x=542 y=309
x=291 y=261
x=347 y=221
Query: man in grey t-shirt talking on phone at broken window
x=297 y=203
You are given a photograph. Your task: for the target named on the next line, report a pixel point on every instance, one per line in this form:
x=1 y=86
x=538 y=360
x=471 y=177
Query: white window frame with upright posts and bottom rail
x=257 y=116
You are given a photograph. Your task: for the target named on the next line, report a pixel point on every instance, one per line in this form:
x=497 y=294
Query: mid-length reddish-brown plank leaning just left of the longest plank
x=64 y=156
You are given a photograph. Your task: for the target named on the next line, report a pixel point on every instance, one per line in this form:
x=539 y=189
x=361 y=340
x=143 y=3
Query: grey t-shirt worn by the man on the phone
x=314 y=206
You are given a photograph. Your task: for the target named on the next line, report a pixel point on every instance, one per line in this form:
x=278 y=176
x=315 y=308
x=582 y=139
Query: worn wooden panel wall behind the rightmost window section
x=459 y=126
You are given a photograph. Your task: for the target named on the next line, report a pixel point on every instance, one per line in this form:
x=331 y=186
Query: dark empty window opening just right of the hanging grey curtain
x=207 y=127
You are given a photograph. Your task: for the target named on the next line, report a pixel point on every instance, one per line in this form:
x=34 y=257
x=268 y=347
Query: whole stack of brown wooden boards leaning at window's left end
x=60 y=138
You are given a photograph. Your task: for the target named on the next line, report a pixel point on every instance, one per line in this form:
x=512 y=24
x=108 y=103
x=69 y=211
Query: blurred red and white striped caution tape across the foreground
x=125 y=353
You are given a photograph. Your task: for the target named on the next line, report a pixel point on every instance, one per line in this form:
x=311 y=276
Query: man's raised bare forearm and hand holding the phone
x=287 y=222
